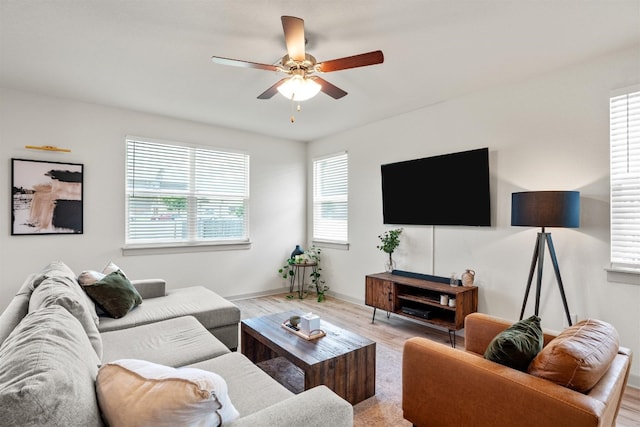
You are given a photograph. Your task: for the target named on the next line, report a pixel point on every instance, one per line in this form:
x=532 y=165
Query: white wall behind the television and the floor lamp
x=549 y=133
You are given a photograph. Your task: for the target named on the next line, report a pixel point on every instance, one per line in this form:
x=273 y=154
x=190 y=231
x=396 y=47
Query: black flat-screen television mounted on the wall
x=449 y=189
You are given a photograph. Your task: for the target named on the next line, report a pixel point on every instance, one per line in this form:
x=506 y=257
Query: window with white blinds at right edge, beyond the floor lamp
x=625 y=178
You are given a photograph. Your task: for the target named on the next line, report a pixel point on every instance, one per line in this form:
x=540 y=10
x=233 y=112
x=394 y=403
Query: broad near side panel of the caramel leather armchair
x=449 y=387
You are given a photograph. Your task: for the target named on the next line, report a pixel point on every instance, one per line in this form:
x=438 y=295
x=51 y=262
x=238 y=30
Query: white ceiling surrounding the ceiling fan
x=154 y=55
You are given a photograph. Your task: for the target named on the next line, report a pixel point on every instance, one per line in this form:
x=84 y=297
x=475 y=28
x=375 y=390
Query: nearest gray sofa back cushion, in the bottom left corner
x=48 y=372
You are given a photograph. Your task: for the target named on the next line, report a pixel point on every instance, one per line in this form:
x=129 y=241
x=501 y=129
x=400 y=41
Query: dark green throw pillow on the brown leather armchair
x=517 y=345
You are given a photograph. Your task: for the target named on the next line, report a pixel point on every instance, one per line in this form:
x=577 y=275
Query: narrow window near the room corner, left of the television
x=330 y=199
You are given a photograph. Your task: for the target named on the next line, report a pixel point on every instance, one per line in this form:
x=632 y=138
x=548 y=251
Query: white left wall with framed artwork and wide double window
x=96 y=135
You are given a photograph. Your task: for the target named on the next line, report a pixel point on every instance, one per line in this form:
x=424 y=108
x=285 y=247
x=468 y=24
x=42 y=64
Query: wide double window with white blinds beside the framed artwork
x=185 y=195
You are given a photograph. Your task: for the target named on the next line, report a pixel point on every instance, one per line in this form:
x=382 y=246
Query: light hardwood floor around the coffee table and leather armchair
x=391 y=332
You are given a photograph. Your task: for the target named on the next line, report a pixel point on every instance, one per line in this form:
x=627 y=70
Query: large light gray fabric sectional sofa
x=52 y=348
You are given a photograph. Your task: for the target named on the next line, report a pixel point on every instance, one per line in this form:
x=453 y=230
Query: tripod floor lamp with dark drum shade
x=545 y=209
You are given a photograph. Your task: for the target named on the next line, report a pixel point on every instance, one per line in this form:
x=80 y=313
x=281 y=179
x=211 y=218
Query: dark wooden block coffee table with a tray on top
x=342 y=360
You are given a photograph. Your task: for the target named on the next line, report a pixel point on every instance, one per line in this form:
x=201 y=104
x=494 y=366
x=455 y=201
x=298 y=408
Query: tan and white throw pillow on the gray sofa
x=139 y=393
